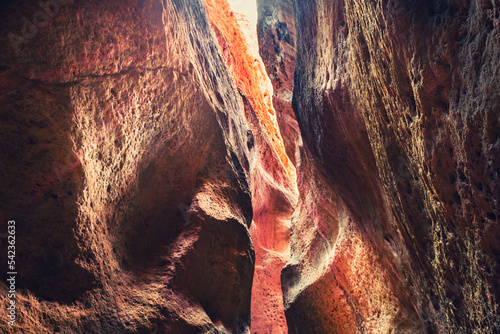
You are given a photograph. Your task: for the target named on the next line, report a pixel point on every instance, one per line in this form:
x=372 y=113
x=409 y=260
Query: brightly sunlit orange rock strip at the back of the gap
x=272 y=174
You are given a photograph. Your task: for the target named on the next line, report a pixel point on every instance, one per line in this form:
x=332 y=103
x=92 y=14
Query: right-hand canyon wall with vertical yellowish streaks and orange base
x=397 y=227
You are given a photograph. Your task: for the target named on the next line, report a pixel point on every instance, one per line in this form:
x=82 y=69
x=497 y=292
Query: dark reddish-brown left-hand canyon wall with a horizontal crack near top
x=125 y=164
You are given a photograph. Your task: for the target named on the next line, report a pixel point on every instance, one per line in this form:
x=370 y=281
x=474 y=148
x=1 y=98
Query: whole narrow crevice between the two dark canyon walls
x=272 y=176
